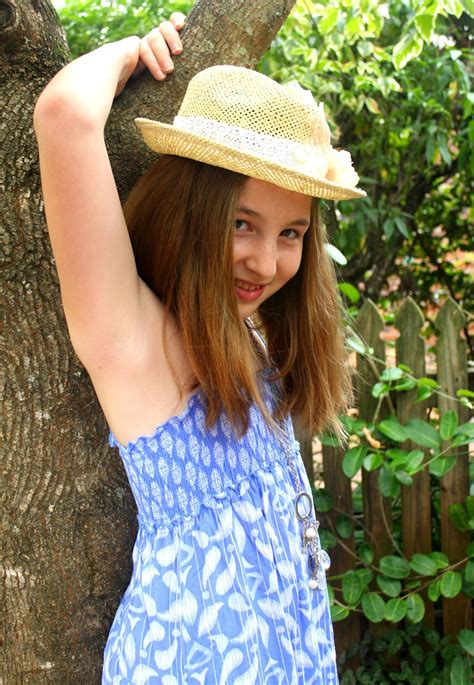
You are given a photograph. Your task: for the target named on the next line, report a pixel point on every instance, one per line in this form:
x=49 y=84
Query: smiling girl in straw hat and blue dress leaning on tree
x=168 y=304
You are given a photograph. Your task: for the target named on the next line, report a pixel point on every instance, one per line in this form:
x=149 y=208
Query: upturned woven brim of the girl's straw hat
x=172 y=140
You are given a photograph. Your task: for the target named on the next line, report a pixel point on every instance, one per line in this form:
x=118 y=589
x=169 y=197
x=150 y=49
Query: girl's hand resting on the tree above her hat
x=157 y=47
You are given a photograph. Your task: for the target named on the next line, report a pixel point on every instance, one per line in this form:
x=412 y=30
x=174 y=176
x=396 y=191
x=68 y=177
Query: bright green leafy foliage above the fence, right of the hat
x=394 y=77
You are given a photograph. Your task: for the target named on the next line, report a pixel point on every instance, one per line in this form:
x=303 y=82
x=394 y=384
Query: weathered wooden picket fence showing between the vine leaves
x=416 y=503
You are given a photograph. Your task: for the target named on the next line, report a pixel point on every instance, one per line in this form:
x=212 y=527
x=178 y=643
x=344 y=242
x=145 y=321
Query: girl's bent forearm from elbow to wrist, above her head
x=84 y=90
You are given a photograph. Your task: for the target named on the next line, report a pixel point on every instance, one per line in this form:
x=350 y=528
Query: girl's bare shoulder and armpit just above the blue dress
x=142 y=384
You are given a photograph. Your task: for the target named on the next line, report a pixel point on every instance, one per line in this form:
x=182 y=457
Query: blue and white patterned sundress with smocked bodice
x=219 y=592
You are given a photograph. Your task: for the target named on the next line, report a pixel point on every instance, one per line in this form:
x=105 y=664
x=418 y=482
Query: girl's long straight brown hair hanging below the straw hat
x=181 y=217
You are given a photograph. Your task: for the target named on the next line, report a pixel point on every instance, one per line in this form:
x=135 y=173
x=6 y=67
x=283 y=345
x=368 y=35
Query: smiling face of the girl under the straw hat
x=270 y=224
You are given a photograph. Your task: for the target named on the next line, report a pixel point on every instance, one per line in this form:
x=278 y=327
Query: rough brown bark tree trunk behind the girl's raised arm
x=69 y=518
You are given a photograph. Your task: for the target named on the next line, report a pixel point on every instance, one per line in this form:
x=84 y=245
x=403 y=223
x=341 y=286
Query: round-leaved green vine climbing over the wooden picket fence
x=396 y=587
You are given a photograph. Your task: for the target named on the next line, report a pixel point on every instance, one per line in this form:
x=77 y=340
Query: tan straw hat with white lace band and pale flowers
x=241 y=120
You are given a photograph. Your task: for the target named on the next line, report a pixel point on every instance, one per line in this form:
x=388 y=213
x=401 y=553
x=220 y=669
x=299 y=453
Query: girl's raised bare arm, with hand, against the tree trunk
x=104 y=299
